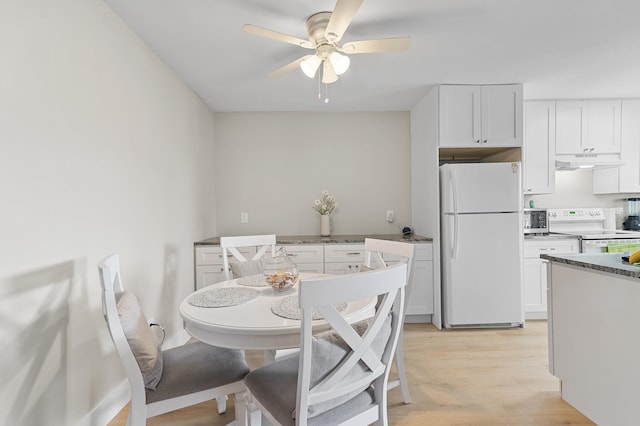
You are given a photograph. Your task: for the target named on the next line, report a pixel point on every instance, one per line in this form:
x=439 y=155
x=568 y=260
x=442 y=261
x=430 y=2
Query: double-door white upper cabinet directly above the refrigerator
x=480 y=116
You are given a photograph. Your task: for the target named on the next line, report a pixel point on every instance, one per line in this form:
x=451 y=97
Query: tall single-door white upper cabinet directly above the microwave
x=539 y=147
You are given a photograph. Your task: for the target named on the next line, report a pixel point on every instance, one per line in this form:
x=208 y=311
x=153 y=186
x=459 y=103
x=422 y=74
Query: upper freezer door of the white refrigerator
x=481 y=187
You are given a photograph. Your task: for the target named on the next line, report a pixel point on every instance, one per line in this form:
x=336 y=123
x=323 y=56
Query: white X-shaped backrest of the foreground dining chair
x=368 y=358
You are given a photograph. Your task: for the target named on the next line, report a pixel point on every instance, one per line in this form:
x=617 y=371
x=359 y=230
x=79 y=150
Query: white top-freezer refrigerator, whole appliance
x=481 y=245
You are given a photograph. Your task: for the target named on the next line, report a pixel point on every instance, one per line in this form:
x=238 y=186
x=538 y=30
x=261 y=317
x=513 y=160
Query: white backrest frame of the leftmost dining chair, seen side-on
x=112 y=289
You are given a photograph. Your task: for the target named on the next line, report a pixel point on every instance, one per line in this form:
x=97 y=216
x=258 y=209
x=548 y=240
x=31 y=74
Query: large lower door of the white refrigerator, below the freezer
x=482 y=279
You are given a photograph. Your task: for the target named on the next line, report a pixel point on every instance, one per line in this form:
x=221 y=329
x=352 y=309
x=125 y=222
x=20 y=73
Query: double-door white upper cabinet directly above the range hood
x=588 y=127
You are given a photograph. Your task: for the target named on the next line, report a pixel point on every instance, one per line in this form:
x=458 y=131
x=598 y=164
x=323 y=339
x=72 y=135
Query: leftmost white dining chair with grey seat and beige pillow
x=166 y=380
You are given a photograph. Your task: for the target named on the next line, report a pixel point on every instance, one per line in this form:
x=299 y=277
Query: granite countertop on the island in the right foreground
x=604 y=262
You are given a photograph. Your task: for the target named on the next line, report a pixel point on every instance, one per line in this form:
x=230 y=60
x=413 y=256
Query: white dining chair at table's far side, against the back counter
x=242 y=265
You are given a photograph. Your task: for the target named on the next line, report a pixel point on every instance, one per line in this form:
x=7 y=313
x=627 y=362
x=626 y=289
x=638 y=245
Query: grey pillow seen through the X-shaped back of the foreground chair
x=328 y=351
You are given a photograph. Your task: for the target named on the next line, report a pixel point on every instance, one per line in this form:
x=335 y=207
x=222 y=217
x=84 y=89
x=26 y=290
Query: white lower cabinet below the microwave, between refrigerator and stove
x=535 y=272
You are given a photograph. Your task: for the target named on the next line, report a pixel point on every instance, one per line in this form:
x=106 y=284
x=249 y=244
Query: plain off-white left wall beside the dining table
x=102 y=150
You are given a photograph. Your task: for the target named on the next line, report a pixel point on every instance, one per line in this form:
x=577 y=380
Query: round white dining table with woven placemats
x=252 y=325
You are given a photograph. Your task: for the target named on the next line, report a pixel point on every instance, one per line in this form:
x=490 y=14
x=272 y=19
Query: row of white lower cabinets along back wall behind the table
x=332 y=259
